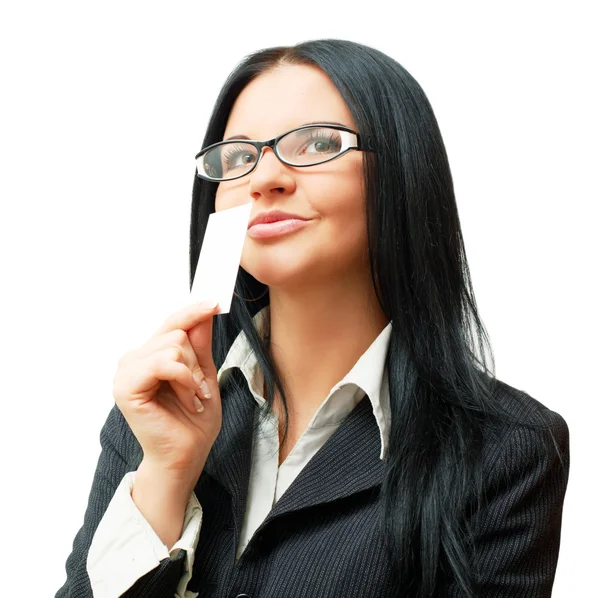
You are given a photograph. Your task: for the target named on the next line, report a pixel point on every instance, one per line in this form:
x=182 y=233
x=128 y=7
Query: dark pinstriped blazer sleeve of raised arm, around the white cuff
x=116 y=459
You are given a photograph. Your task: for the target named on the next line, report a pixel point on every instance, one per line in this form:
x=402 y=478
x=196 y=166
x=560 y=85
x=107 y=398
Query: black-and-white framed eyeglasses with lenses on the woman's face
x=304 y=146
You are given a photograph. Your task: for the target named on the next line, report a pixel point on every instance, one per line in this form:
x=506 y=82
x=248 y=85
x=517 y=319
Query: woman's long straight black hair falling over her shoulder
x=440 y=363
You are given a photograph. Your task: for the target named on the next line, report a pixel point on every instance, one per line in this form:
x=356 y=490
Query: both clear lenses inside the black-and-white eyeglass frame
x=300 y=148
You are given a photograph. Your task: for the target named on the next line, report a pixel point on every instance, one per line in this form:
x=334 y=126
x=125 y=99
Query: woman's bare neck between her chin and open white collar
x=318 y=333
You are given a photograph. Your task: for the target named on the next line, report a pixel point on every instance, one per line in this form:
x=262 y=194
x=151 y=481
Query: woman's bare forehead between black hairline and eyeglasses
x=285 y=98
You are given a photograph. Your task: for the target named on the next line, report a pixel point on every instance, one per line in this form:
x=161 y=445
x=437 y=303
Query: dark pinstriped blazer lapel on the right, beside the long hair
x=347 y=463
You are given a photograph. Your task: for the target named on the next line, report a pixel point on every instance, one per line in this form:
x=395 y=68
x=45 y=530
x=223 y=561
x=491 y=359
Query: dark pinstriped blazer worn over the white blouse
x=320 y=539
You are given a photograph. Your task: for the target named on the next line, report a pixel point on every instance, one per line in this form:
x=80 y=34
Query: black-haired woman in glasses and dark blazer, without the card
x=355 y=441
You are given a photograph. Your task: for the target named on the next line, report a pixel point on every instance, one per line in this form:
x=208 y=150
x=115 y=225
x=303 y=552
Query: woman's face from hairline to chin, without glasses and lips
x=332 y=246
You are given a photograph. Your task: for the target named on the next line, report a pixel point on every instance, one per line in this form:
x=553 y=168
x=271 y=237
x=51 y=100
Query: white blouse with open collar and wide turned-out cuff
x=125 y=547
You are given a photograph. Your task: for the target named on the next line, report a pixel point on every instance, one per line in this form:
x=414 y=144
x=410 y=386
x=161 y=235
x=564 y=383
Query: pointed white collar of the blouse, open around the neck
x=368 y=376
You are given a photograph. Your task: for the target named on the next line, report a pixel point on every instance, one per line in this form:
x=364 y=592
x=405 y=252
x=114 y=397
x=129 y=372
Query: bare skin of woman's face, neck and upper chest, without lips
x=324 y=313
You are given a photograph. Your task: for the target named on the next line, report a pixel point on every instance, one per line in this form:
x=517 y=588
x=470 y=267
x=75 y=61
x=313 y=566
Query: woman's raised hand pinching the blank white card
x=156 y=387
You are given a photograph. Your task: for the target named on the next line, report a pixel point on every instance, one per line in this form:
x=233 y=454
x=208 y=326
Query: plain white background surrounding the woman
x=104 y=106
